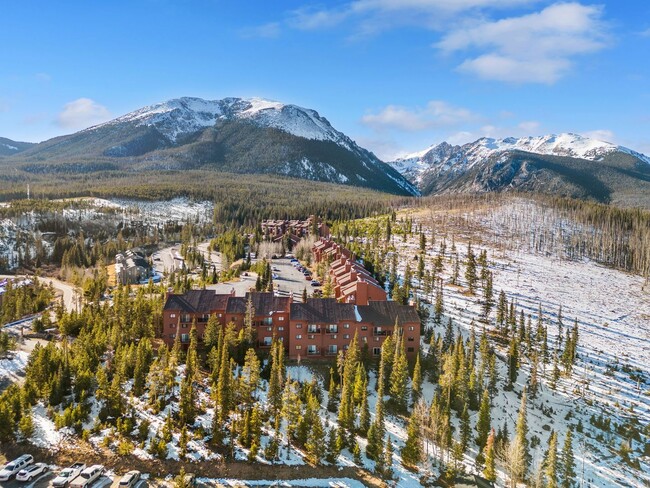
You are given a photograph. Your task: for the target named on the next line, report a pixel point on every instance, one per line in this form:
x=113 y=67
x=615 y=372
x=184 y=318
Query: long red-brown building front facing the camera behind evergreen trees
x=318 y=328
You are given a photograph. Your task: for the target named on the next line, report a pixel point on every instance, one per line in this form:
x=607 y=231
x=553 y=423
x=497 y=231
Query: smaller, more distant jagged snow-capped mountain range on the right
x=566 y=164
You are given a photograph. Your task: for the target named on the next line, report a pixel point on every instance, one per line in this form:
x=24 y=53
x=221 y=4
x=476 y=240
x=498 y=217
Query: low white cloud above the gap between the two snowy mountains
x=436 y=114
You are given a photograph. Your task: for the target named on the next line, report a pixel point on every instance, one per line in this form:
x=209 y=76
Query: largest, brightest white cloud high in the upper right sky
x=537 y=47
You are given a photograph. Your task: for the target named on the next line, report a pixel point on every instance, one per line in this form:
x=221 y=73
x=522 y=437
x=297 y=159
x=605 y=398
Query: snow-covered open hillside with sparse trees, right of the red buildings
x=612 y=374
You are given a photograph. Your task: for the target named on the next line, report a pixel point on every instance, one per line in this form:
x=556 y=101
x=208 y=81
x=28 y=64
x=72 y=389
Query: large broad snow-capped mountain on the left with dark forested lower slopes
x=233 y=134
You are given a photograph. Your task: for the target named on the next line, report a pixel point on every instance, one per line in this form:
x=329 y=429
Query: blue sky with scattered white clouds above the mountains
x=395 y=75
